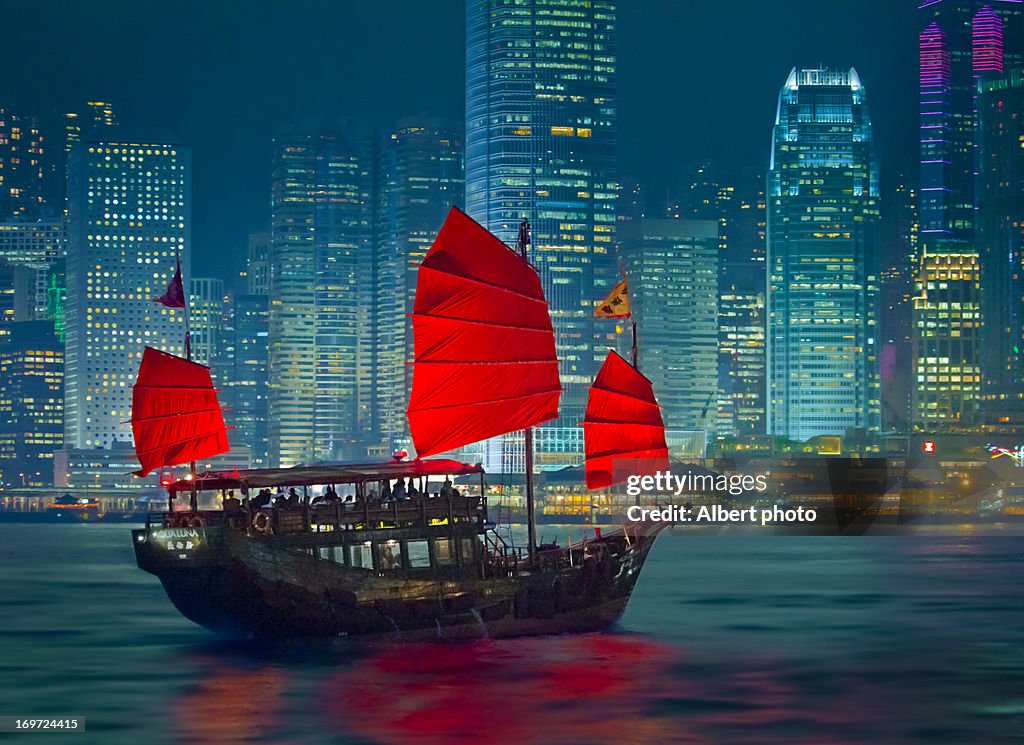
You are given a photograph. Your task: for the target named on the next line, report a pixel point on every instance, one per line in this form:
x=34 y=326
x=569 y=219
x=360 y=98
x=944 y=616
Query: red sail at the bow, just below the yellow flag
x=624 y=432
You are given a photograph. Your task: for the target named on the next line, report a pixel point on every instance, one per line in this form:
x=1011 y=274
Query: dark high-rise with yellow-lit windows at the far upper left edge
x=23 y=191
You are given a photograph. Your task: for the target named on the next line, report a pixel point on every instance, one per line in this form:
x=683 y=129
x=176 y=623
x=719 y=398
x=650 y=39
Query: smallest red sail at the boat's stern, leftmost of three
x=176 y=416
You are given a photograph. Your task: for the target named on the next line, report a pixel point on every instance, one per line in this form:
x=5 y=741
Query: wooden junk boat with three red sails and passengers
x=394 y=548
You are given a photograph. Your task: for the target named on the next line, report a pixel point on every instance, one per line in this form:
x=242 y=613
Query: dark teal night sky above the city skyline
x=699 y=79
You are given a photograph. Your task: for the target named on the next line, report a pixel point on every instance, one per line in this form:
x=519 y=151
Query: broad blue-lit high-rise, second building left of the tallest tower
x=321 y=290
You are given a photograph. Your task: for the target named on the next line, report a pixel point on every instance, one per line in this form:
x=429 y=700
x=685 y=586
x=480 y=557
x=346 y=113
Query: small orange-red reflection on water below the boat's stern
x=235 y=706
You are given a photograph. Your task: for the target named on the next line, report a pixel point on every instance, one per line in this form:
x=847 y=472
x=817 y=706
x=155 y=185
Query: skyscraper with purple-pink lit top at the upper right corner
x=962 y=42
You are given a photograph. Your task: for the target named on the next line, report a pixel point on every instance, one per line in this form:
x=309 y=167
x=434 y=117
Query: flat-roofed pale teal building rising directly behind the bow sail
x=673 y=266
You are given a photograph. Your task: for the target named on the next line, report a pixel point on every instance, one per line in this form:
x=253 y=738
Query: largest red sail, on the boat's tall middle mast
x=485 y=348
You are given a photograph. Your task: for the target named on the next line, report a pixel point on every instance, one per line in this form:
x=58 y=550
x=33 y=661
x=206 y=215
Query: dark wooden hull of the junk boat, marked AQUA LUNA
x=244 y=586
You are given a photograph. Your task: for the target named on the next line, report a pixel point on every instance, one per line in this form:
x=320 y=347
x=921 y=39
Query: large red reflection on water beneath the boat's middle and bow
x=596 y=689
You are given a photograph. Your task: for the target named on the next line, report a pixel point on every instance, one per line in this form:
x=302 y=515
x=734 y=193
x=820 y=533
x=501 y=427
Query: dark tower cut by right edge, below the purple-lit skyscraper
x=1001 y=239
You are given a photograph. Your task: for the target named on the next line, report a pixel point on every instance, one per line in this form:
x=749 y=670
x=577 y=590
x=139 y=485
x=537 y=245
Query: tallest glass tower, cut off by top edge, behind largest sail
x=541 y=145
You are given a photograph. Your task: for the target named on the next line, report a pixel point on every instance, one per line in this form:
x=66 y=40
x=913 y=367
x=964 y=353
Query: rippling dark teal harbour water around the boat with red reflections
x=729 y=640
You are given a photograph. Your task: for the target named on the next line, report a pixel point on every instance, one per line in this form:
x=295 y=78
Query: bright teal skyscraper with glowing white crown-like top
x=823 y=258
